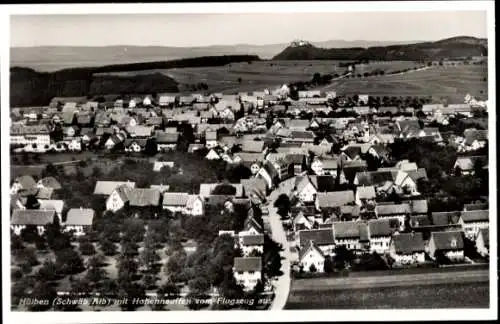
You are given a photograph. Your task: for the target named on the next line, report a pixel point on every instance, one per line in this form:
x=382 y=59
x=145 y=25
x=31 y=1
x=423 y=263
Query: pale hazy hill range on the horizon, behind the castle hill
x=53 y=58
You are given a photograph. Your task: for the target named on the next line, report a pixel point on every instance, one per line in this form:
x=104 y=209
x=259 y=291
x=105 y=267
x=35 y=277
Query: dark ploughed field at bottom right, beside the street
x=442 y=288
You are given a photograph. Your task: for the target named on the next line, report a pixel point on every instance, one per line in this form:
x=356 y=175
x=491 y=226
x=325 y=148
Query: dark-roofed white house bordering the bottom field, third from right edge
x=407 y=249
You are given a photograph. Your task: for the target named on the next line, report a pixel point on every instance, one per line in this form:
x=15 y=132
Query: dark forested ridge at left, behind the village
x=31 y=88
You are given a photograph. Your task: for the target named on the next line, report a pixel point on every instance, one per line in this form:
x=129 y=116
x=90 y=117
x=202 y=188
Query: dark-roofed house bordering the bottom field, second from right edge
x=449 y=245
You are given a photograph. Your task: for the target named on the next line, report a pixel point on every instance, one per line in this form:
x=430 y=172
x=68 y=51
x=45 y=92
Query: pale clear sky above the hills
x=186 y=30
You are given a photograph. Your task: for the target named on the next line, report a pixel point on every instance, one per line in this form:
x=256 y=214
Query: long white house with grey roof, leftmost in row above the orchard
x=21 y=218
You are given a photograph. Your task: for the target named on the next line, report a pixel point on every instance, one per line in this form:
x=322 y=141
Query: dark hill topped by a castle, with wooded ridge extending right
x=452 y=48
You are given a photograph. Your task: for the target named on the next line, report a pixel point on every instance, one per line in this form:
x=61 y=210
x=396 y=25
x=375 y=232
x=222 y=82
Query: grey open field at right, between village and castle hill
x=450 y=82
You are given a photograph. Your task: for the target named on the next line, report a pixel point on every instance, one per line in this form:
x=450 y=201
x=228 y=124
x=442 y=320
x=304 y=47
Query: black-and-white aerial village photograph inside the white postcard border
x=249 y=162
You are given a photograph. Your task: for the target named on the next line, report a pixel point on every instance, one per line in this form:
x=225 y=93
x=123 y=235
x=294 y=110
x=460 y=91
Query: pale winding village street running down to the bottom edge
x=282 y=284
